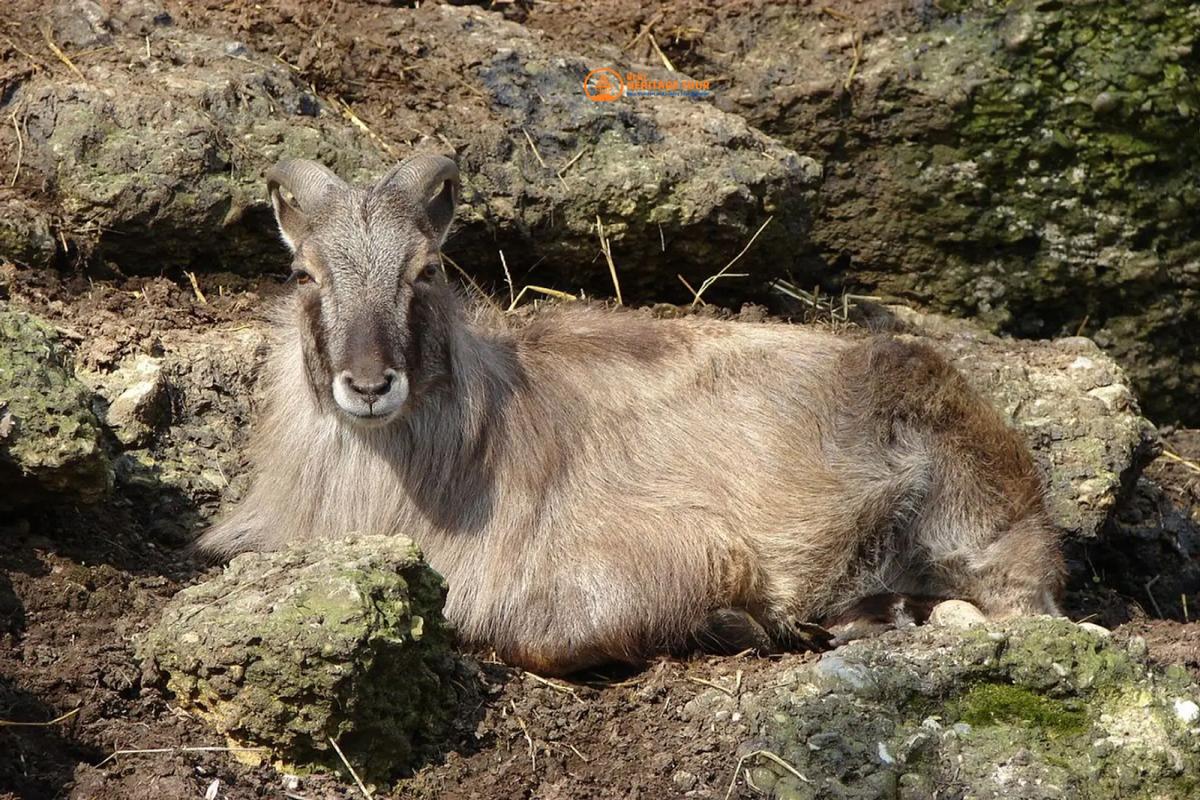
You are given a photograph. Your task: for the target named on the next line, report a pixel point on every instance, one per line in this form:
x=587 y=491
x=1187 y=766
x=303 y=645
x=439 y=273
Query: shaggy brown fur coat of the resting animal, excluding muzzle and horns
x=596 y=485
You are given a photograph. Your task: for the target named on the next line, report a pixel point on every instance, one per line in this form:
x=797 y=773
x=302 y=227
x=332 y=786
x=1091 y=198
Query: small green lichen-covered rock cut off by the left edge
x=50 y=438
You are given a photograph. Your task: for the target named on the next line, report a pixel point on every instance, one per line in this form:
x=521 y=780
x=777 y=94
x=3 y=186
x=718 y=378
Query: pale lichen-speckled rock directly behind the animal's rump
x=1072 y=402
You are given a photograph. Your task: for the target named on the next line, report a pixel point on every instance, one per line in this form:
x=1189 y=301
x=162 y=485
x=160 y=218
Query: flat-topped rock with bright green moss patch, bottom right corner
x=1027 y=711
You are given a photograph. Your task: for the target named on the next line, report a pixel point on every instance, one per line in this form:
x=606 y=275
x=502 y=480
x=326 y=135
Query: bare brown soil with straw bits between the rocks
x=76 y=585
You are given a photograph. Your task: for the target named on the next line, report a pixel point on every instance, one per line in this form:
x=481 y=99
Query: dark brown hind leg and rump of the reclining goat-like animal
x=982 y=528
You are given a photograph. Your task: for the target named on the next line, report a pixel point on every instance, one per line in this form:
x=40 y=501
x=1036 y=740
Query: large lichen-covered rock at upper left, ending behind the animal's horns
x=157 y=159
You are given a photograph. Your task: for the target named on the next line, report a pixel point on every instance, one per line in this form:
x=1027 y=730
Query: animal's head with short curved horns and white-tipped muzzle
x=371 y=302
